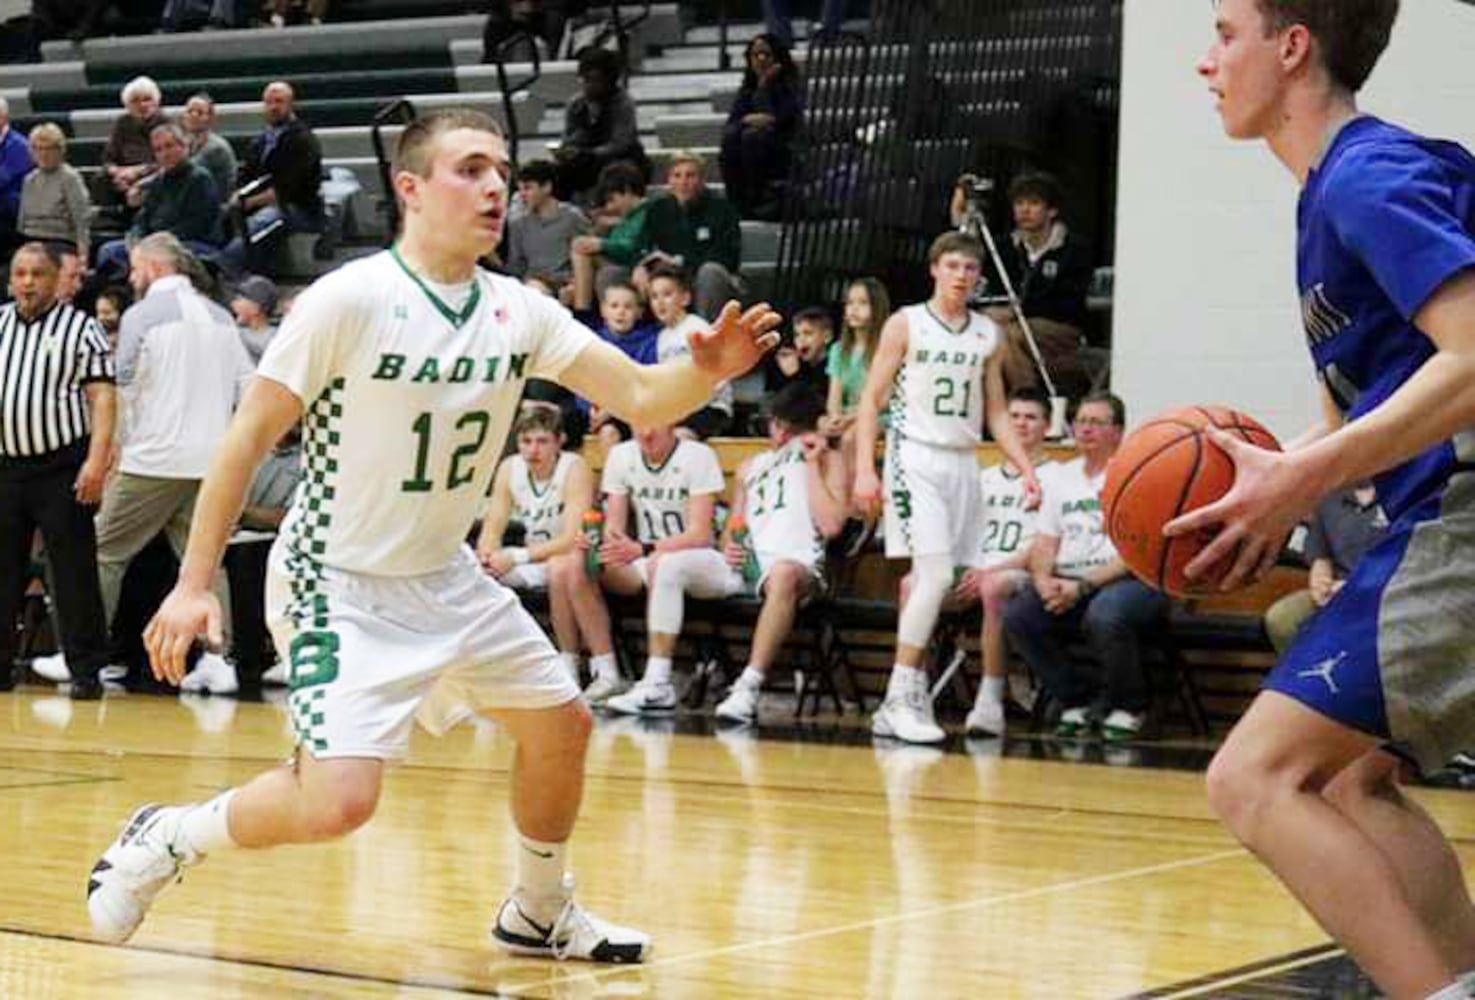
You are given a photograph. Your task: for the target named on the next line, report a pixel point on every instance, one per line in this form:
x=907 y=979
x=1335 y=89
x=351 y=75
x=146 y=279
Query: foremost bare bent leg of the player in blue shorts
x=1268 y=784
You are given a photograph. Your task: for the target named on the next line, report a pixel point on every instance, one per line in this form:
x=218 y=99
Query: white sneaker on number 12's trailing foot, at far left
x=133 y=871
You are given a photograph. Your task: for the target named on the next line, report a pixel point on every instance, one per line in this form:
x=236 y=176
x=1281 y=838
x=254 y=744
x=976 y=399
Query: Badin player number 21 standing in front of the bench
x=939 y=365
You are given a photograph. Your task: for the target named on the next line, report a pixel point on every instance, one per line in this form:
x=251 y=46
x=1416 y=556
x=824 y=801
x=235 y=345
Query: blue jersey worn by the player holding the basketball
x=1384 y=222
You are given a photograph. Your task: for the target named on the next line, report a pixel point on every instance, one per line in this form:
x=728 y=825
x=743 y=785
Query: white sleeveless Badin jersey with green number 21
x=939 y=397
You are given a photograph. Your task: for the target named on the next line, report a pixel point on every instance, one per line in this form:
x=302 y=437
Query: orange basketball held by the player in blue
x=1166 y=468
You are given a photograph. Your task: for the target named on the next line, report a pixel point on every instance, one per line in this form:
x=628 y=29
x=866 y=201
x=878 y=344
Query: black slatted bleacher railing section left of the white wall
x=931 y=91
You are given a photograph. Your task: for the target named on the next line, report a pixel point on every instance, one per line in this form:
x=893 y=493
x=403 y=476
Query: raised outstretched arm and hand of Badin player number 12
x=650 y=395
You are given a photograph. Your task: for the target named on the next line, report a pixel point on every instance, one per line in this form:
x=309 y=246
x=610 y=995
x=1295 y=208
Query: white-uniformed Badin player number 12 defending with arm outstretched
x=406 y=369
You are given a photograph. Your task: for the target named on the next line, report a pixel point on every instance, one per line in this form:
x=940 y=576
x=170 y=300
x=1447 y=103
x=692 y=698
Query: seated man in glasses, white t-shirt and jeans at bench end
x=1083 y=591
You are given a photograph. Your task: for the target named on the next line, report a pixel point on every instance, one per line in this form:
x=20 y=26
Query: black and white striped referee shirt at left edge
x=45 y=367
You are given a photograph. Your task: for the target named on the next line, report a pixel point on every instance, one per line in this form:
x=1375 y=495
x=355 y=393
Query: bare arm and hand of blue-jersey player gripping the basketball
x=1274 y=492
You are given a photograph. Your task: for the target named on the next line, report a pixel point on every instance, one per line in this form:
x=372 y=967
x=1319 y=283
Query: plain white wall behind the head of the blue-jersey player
x=1206 y=299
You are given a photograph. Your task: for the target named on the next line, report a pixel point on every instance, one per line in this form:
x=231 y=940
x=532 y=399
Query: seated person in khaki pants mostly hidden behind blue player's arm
x=1346 y=526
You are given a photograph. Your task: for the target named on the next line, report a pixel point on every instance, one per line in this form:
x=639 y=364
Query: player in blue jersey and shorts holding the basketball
x=1384 y=678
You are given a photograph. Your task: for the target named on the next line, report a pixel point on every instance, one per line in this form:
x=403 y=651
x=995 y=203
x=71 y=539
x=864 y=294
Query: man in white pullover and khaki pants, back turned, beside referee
x=181 y=371
